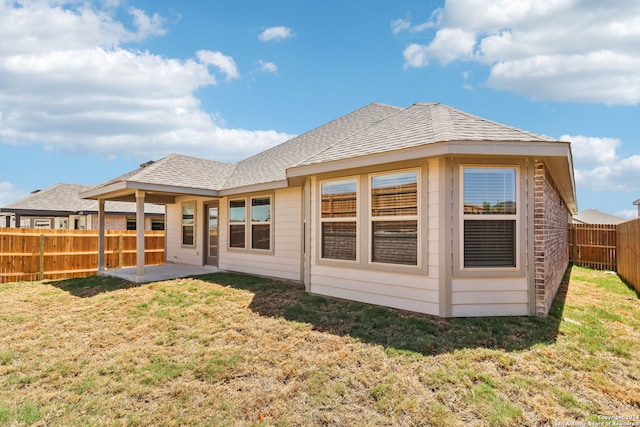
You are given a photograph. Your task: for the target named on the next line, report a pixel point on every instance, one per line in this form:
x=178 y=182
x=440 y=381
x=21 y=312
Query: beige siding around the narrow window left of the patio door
x=191 y=255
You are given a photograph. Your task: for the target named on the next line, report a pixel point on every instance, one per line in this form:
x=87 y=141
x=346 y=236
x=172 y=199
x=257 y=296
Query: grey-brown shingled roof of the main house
x=373 y=129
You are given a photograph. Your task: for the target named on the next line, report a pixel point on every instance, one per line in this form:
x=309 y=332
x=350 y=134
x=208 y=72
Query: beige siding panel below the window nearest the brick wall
x=496 y=296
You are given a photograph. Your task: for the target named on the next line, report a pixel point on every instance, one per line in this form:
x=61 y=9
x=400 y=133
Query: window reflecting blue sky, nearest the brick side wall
x=489 y=217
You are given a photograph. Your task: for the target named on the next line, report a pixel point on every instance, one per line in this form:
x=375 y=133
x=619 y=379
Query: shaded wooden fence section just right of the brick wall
x=593 y=245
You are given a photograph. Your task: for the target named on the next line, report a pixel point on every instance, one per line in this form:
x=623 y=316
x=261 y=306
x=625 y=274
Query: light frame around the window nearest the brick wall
x=496 y=217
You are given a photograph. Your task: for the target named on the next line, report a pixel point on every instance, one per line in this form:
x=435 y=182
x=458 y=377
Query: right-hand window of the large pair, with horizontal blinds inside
x=394 y=218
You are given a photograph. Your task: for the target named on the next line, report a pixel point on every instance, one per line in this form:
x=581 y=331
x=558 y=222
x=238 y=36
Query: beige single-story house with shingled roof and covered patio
x=425 y=208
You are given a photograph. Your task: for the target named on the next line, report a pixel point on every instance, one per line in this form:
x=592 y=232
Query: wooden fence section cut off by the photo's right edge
x=629 y=252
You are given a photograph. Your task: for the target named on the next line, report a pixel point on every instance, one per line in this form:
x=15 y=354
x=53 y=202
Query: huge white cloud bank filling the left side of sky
x=68 y=83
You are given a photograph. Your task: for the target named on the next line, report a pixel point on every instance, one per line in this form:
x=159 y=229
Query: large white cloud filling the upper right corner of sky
x=557 y=50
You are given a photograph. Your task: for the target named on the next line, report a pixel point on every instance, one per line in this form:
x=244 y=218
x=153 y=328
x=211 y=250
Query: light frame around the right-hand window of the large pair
x=371 y=219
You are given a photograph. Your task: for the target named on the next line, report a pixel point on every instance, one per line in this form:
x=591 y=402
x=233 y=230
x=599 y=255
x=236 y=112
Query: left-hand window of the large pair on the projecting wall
x=339 y=219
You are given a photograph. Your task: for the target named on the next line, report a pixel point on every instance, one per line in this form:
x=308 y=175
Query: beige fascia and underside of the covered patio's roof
x=125 y=191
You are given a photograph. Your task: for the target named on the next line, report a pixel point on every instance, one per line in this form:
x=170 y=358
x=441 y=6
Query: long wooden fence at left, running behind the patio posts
x=36 y=254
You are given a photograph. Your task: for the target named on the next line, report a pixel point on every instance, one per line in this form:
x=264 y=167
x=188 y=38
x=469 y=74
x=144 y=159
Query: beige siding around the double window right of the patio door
x=284 y=261
